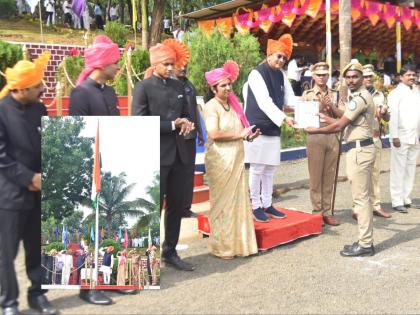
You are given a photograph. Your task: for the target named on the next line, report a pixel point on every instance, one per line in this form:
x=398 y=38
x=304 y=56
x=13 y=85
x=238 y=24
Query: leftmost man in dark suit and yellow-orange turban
x=20 y=182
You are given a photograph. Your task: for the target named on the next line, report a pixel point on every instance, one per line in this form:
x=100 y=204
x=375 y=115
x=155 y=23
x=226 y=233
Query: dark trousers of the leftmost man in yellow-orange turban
x=19 y=225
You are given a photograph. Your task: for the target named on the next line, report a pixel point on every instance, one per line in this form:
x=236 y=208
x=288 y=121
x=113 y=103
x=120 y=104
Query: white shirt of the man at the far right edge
x=404 y=105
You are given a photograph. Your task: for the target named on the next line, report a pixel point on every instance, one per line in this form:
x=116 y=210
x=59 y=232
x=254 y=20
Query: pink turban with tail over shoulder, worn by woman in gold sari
x=230 y=70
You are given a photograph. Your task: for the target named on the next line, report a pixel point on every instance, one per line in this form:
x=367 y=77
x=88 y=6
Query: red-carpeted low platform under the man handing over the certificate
x=278 y=231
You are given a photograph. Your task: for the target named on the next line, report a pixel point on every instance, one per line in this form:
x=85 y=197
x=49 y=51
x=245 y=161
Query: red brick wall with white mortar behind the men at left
x=58 y=52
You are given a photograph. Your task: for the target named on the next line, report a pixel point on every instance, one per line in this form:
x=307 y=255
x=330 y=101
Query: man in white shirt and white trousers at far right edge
x=404 y=132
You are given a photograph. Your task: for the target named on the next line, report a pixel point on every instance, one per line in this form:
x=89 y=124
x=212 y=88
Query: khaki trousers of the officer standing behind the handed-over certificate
x=322 y=152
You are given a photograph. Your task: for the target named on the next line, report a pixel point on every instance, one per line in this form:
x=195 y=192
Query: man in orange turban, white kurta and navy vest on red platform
x=268 y=92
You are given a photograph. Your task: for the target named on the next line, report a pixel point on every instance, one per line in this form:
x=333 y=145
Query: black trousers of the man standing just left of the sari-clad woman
x=172 y=180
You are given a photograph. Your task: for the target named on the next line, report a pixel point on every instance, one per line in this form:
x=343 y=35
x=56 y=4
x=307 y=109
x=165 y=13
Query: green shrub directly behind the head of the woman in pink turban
x=209 y=52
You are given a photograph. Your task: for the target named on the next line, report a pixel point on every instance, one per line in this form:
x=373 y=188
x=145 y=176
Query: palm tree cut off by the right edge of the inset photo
x=151 y=218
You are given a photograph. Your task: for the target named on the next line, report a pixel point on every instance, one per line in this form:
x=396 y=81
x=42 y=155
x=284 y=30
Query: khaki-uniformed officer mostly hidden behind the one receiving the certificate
x=381 y=112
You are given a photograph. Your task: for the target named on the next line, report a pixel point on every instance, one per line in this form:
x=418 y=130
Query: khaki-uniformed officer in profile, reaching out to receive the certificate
x=358 y=121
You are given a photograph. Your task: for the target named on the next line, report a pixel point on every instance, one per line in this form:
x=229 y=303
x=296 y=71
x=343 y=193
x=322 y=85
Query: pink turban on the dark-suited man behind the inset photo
x=102 y=53
